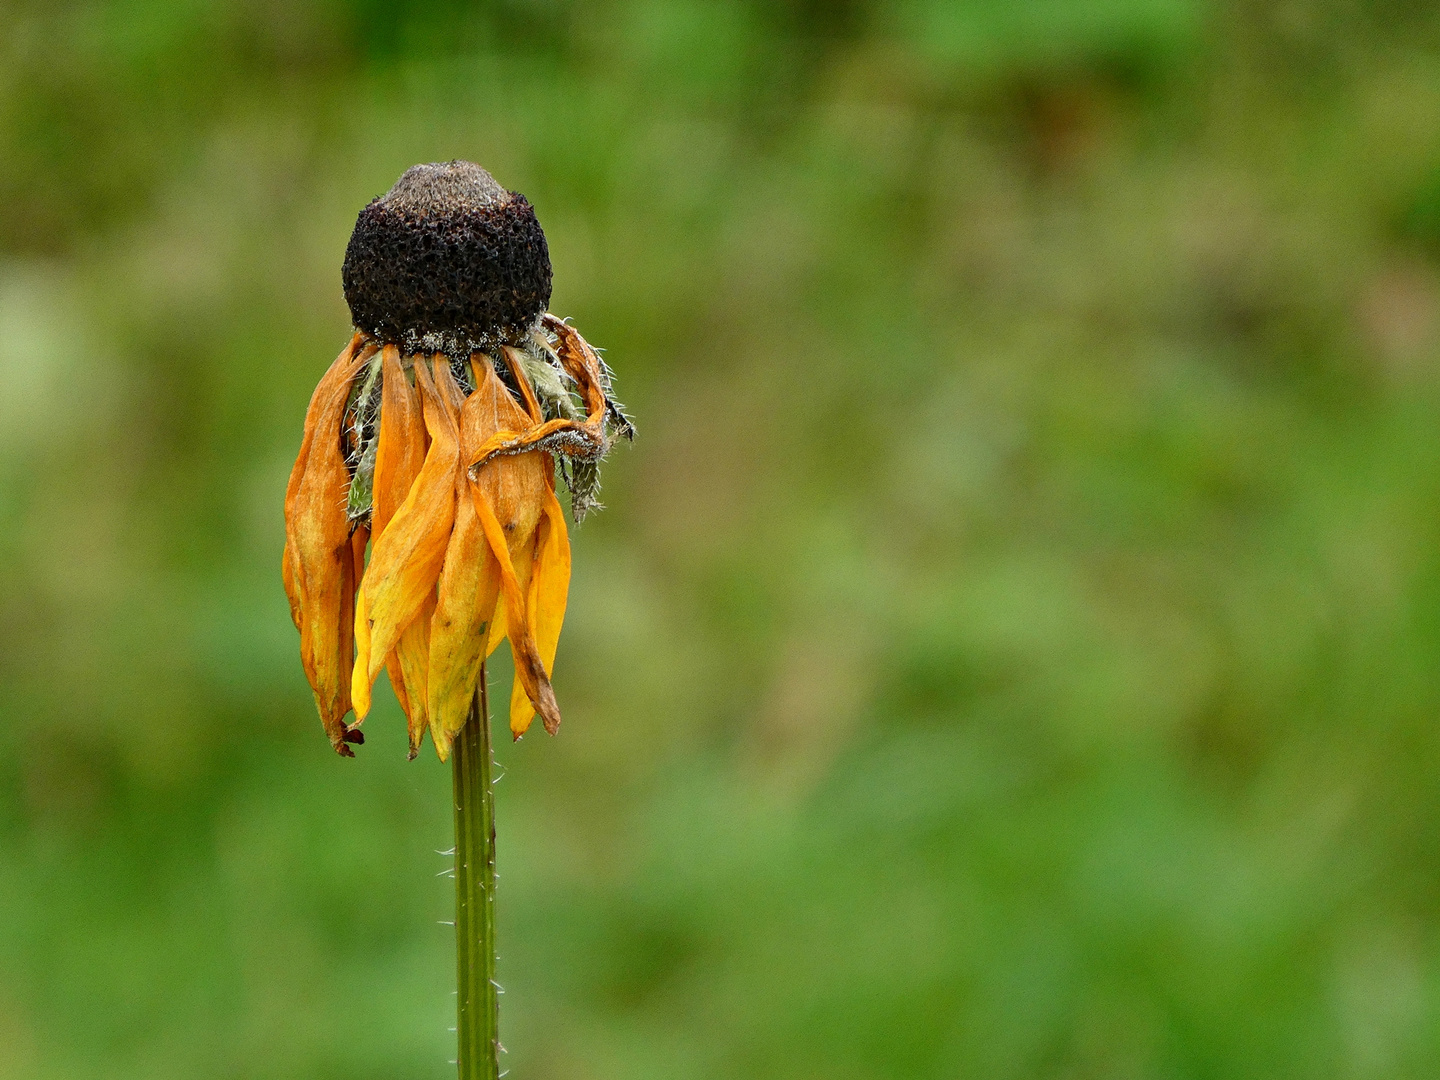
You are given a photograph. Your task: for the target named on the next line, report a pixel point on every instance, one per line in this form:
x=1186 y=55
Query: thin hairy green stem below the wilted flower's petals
x=477 y=1006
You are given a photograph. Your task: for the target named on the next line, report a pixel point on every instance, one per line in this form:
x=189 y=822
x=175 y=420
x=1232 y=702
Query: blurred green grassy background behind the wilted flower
x=1013 y=646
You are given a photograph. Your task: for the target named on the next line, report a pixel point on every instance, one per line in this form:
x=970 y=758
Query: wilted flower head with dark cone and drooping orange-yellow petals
x=436 y=440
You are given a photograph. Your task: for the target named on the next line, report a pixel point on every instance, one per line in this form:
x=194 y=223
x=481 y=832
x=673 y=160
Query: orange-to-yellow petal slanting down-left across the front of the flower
x=410 y=554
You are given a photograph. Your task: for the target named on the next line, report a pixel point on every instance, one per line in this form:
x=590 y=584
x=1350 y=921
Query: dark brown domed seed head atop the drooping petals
x=447 y=261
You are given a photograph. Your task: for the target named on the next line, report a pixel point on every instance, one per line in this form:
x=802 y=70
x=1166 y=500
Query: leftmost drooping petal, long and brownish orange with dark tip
x=320 y=561
